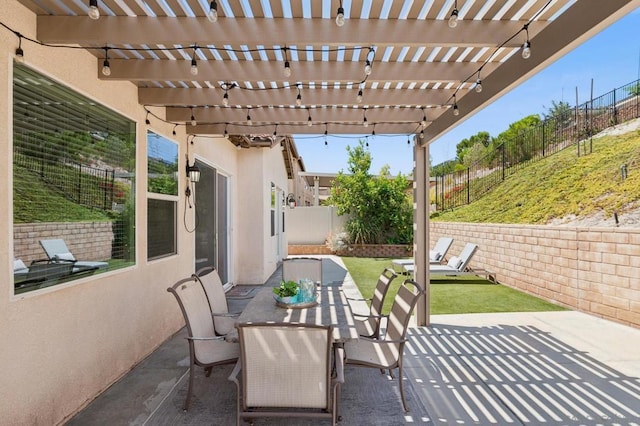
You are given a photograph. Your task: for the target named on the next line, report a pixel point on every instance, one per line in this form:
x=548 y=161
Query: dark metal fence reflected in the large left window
x=82 y=184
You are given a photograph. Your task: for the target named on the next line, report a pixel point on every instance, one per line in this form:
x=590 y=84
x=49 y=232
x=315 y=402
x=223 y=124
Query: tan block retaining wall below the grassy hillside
x=594 y=270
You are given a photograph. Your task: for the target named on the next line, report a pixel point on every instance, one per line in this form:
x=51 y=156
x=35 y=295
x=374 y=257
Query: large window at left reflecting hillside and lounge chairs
x=73 y=180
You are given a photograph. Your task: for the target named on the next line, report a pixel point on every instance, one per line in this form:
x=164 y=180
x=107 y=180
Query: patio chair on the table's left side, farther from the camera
x=223 y=321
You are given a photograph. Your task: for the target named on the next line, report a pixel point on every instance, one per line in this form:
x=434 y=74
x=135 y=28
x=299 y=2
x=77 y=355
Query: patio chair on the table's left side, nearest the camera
x=205 y=348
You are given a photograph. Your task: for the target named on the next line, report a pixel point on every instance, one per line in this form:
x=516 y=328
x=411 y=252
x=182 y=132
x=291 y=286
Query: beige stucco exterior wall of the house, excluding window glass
x=62 y=346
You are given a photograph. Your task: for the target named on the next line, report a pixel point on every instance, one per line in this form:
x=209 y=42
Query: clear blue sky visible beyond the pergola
x=611 y=58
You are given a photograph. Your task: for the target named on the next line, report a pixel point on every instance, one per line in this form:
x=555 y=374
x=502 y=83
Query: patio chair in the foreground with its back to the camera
x=287 y=371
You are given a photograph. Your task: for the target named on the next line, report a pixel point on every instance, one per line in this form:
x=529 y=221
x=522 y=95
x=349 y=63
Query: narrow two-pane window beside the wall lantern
x=162 y=200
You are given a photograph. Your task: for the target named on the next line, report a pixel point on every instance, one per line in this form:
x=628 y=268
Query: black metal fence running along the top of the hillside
x=573 y=128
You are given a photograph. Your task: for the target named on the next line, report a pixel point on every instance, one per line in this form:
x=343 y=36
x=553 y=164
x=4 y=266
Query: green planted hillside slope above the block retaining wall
x=565 y=189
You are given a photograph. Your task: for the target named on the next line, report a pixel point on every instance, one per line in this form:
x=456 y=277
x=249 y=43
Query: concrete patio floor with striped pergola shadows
x=552 y=368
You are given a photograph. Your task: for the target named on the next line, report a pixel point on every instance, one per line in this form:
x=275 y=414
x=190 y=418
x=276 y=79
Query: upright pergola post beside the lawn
x=421 y=226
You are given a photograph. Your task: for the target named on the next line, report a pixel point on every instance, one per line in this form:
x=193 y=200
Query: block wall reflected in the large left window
x=86 y=240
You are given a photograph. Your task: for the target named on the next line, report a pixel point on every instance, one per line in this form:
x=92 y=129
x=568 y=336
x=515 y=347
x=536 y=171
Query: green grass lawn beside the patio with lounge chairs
x=460 y=295
